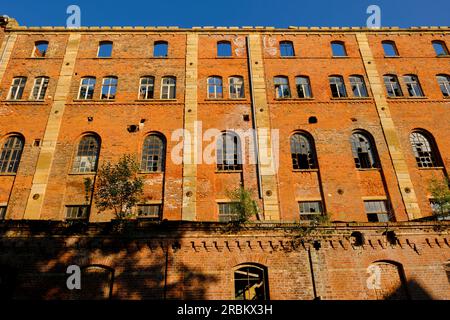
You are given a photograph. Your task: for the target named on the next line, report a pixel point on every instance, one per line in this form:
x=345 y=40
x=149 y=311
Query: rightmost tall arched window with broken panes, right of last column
x=424 y=149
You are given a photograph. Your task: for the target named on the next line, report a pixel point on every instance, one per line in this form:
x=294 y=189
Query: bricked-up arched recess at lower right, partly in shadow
x=387 y=281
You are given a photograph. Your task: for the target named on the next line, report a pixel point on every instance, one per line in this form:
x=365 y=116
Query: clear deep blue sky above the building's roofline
x=278 y=13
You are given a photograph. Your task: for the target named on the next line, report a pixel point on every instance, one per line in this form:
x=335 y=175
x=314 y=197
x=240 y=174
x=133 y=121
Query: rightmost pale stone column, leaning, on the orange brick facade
x=389 y=130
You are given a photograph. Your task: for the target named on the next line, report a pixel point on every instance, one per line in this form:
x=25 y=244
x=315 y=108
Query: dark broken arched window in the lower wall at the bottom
x=250 y=282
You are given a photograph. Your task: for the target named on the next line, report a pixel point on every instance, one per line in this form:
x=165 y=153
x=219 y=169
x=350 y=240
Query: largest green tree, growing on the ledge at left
x=118 y=187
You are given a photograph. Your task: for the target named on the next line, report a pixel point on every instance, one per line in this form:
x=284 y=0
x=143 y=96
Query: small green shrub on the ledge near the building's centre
x=243 y=205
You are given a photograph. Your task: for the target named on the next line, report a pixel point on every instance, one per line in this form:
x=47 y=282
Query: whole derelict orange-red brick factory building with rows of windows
x=349 y=122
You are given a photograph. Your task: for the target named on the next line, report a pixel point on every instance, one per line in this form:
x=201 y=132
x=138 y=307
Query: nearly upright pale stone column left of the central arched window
x=190 y=141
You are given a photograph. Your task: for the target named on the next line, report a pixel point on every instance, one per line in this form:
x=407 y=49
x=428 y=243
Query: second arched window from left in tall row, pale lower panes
x=86 y=156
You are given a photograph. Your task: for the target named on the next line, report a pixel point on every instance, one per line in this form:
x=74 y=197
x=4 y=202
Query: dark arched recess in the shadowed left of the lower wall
x=97 y=283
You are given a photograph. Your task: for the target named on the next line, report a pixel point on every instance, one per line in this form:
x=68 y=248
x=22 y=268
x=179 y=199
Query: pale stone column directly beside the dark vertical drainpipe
x=267 y=168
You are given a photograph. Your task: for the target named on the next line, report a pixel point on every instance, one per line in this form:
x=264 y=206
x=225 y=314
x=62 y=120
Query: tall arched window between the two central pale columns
x=229 y=152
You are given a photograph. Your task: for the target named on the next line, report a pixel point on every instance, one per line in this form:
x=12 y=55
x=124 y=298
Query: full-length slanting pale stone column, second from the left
x=47 y=152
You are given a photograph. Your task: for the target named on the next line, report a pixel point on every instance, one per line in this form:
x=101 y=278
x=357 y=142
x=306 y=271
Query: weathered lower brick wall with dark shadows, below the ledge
x=200 y=260
